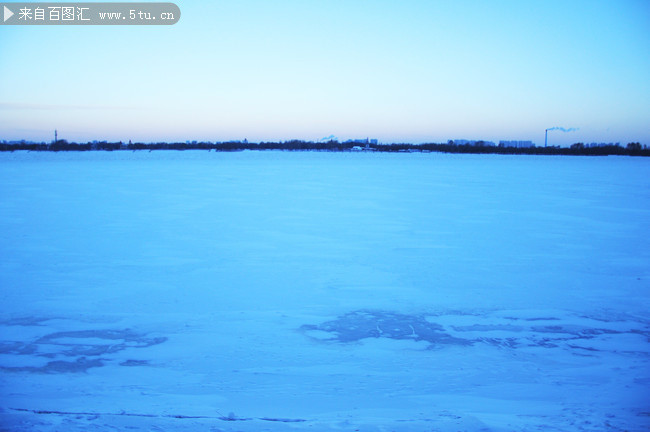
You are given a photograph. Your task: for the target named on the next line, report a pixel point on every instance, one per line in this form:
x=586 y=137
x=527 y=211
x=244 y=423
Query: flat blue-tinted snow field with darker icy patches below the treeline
x=278 y=291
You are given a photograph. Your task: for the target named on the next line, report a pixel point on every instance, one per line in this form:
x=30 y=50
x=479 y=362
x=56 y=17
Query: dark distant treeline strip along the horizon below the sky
x=632 y=149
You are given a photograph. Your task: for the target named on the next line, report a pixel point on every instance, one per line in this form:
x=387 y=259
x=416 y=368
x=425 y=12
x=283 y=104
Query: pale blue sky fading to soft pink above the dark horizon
x=399 y=71
